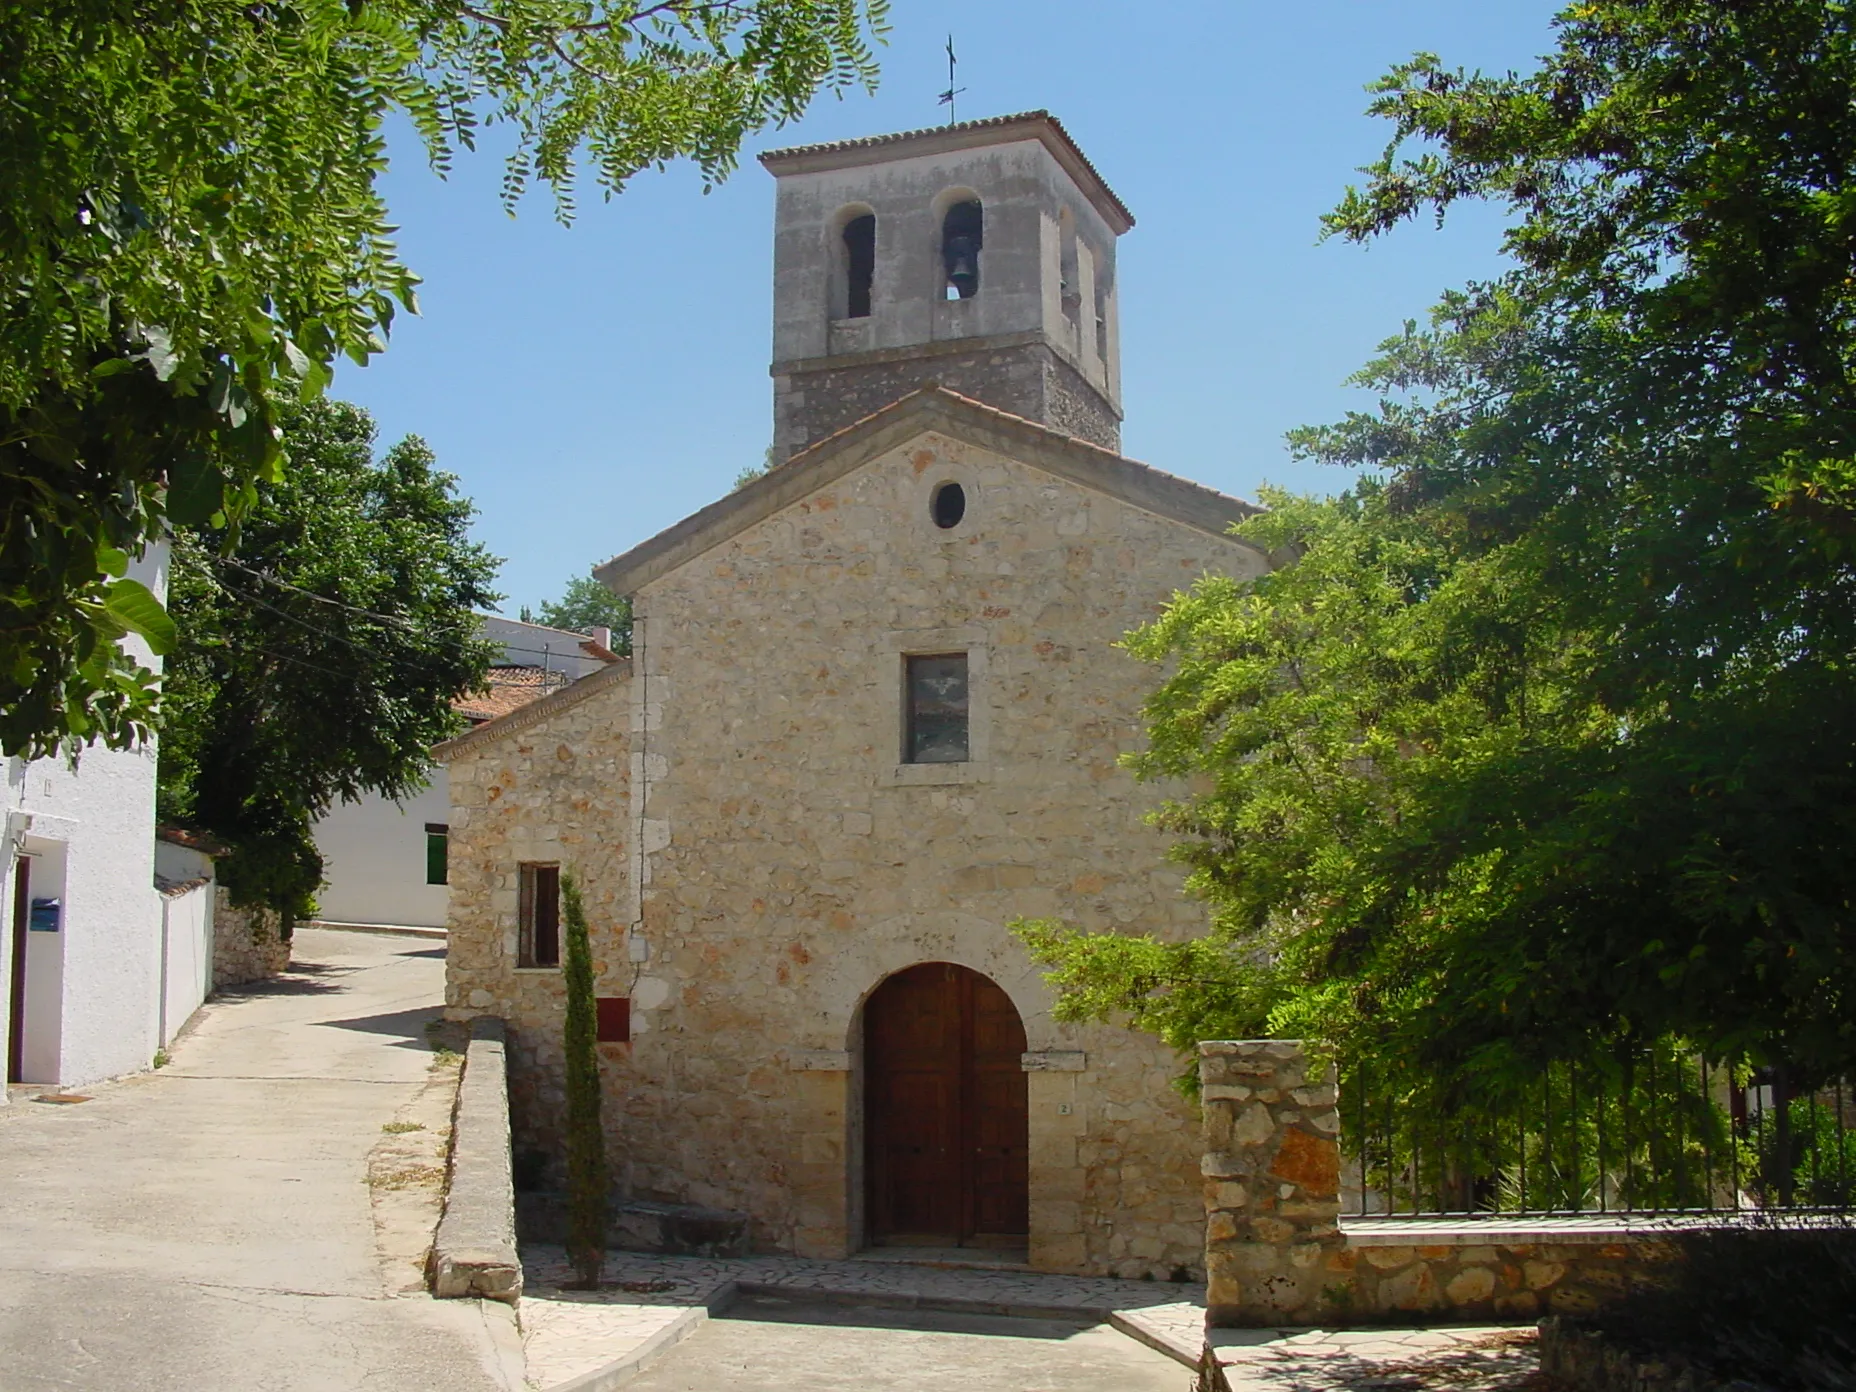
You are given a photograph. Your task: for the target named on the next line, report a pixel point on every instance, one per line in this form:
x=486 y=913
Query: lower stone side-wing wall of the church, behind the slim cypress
x=554 y=793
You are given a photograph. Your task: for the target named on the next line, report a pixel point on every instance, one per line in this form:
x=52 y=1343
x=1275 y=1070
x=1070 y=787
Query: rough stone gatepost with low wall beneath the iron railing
x=1278 y=1256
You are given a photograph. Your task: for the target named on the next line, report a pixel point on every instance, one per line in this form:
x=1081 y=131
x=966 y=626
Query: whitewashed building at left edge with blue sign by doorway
x=101 y=968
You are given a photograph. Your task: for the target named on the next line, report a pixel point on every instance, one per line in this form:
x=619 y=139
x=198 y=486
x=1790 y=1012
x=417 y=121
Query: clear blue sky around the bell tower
x=597 y=383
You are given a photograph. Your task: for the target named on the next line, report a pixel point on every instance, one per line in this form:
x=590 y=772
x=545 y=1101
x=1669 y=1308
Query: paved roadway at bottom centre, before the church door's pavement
x=769 y=1345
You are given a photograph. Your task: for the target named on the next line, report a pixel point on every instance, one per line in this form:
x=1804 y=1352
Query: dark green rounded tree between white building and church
x=322 y=649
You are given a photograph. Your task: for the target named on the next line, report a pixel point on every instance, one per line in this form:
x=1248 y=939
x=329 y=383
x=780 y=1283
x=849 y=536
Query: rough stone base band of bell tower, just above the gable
x=1027 y=380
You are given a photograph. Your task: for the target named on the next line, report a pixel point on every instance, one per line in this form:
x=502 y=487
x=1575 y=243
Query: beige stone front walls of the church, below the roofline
x=788 y=862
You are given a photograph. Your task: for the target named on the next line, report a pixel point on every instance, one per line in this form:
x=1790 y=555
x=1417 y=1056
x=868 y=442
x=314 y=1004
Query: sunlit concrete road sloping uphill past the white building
x=209 y=1226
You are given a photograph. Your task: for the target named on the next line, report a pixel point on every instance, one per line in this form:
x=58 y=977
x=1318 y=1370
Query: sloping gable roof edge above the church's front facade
x=946 y=413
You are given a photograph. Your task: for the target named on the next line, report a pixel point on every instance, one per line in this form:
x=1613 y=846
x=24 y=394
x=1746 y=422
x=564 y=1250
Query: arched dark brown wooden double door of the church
x=946 y=1115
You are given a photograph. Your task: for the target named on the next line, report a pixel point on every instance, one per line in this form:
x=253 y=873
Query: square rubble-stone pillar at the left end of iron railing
x=1274 y=1254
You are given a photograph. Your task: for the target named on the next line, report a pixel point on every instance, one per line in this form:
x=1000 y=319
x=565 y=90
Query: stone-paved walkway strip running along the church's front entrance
x=664 y=1298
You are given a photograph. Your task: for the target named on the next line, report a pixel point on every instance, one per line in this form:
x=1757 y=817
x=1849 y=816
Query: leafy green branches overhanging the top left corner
x=192 y=237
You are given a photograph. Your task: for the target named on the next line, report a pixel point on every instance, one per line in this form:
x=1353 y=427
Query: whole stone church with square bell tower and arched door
x=873 y=715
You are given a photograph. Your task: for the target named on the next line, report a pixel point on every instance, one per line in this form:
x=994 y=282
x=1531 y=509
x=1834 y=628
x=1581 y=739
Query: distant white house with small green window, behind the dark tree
x=383 y=860
